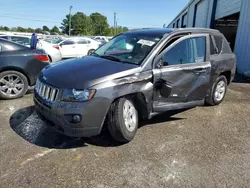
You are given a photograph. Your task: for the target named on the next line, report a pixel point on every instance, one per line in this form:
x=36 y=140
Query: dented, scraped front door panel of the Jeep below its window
x=183 y=83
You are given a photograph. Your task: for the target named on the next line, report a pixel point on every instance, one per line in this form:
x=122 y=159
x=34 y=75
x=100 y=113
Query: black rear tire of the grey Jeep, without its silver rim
x=211 y=99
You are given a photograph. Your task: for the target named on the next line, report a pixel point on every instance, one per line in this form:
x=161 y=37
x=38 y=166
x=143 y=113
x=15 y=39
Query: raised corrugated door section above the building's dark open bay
x=227 y=7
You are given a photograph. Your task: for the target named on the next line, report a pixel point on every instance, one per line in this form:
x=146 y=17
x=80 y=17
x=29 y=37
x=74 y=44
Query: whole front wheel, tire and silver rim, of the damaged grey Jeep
x=123 y=120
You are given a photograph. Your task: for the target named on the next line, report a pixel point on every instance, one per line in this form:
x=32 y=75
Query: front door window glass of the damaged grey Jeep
x=191 y=50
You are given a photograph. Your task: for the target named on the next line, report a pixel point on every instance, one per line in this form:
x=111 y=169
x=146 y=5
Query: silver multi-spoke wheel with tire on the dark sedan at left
x=13 y=85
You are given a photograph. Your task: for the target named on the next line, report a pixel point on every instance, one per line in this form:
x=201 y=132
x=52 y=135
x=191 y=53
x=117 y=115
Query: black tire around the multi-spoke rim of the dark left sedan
x=22 y=91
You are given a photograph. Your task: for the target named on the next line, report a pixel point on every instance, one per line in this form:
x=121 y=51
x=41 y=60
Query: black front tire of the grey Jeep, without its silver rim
x=116 y=123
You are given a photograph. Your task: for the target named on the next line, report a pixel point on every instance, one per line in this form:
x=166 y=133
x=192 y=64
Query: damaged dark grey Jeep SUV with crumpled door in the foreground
x=137 y=75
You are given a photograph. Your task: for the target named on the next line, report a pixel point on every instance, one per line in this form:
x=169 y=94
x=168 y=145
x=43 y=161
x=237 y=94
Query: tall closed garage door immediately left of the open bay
x=201 y=13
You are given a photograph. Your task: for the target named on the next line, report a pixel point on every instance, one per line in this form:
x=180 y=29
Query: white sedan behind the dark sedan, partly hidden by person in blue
x=53 y=53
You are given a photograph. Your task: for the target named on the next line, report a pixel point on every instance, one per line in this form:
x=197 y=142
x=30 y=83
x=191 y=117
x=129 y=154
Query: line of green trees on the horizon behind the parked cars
x=81 y=25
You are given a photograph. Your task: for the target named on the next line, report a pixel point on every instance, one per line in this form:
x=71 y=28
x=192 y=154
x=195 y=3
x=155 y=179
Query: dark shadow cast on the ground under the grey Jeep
x=27 y=124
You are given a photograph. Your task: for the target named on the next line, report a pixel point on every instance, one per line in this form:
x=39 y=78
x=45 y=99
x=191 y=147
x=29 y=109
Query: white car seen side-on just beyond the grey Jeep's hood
x=77 y=47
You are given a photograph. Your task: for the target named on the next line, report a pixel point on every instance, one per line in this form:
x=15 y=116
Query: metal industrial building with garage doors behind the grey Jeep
x=231 y=17
